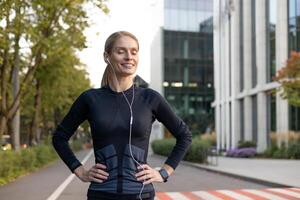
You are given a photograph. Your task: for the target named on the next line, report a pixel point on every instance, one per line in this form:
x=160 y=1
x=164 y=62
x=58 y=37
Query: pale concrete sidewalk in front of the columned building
x=276 y=172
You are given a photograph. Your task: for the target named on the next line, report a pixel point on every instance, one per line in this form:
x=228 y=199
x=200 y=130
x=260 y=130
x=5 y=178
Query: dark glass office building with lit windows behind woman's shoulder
x=188 y=60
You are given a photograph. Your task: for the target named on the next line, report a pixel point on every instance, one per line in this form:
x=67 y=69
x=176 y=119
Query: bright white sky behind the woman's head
x=140 y=17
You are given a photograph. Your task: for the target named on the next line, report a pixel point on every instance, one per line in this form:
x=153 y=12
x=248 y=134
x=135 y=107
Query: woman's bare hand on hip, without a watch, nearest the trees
x=95 y=173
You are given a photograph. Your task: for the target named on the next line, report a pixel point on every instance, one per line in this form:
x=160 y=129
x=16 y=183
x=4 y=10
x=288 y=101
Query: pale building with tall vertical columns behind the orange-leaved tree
x=252 y=40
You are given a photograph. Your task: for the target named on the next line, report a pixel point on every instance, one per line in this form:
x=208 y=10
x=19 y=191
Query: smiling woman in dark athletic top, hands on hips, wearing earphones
x=120 y=115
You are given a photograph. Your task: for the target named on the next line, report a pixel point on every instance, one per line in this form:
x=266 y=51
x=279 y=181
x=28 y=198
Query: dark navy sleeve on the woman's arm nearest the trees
x=75 y=116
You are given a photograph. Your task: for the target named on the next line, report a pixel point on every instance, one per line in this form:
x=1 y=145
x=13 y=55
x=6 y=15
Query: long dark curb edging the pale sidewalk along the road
x=230 y=174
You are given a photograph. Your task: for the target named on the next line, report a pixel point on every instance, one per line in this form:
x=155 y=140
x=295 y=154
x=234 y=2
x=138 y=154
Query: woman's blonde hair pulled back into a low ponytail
x=109 y=44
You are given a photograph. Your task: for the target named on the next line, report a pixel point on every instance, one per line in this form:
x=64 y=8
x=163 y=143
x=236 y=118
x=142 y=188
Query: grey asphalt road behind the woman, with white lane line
x=41 y=184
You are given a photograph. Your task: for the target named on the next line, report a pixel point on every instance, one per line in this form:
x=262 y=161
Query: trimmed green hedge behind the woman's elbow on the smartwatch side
x=197 y=152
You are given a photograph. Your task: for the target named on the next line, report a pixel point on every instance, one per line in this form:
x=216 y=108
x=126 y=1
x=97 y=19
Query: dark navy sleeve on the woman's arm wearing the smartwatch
x=178 y=129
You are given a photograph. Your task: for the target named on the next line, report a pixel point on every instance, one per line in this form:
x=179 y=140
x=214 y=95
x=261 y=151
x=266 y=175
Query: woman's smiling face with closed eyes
x=124 y=56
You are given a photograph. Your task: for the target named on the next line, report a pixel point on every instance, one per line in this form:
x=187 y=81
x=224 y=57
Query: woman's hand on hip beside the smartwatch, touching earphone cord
x=148 y=175
